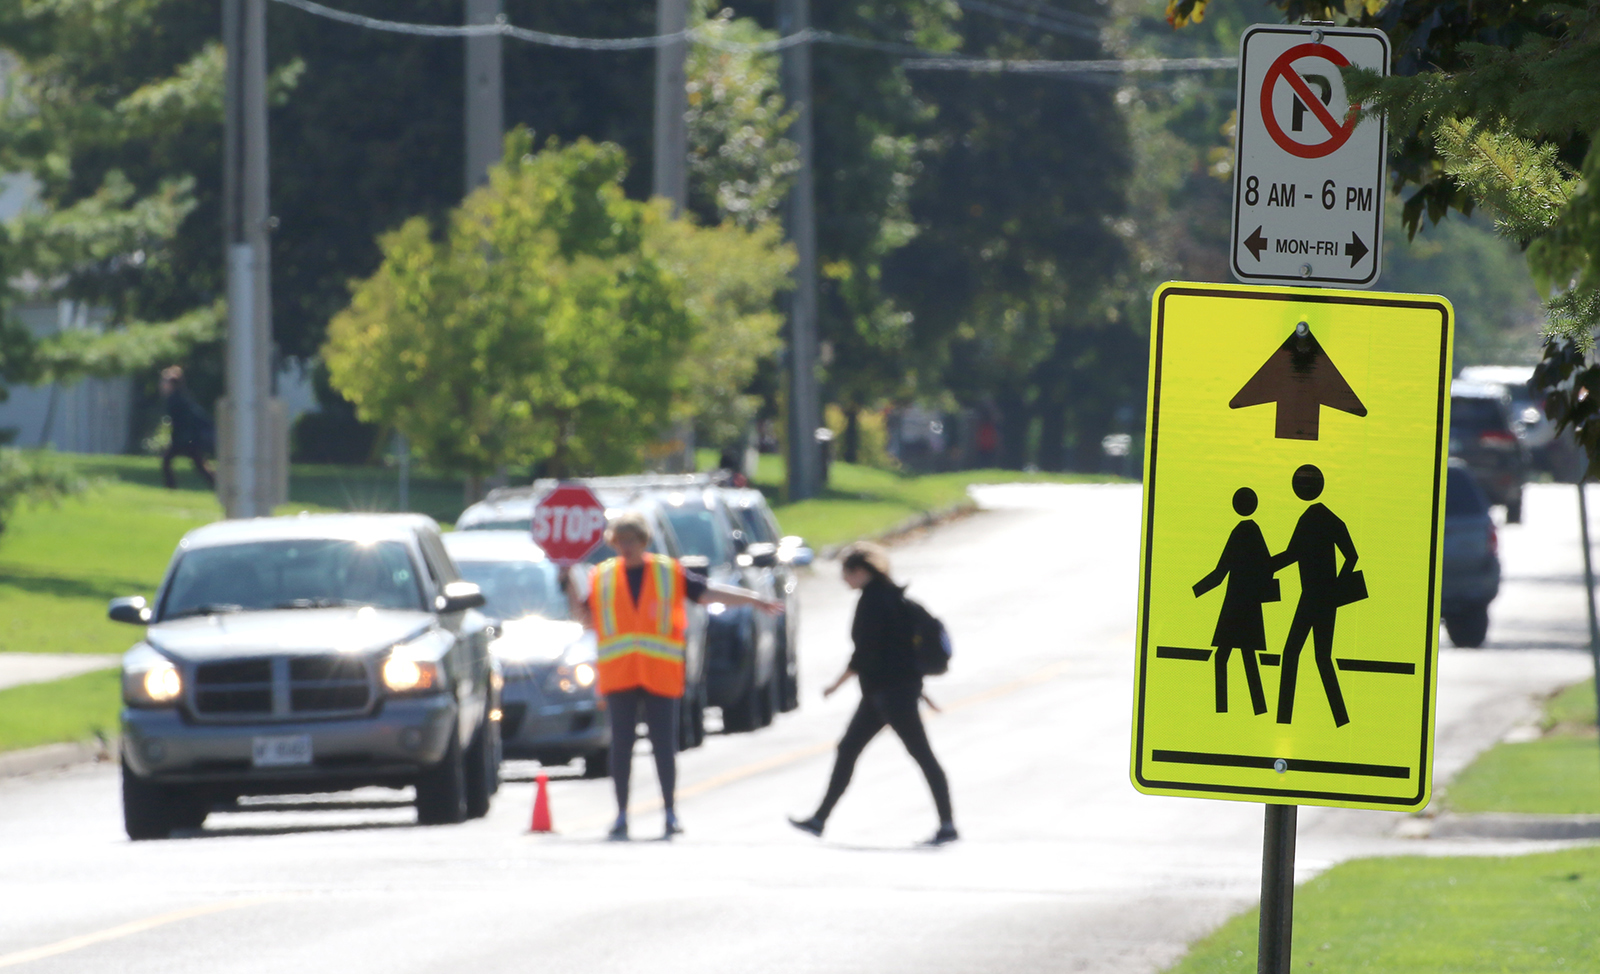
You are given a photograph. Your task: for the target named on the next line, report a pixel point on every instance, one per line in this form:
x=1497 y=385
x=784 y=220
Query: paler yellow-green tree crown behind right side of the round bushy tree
x=729 y=279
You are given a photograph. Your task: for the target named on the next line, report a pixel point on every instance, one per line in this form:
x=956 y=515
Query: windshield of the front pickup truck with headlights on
x=303 y=573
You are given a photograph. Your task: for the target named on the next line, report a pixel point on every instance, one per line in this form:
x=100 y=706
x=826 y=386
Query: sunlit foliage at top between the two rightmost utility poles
x=740 y=161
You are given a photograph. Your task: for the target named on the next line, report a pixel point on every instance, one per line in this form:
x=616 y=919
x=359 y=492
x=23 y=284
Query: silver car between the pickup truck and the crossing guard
x=550 y=708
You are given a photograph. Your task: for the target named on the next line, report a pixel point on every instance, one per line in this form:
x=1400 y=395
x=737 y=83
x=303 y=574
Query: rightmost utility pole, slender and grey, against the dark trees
x=806 y=409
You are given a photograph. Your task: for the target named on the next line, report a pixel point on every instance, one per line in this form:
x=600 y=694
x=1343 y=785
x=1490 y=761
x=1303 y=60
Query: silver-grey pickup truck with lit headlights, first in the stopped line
x=308 y=655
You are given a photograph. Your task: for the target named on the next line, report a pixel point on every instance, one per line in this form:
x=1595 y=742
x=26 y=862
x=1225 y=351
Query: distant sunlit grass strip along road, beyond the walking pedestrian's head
x=865 y=501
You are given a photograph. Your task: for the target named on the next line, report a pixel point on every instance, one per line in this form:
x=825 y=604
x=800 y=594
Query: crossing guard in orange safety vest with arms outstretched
x=636 y=605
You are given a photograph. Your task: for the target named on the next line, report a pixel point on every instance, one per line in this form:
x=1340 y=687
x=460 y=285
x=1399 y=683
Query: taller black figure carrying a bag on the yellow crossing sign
x=1316 y=545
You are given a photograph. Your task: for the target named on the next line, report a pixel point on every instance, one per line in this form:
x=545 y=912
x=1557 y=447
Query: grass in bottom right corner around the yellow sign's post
x=1460 y=916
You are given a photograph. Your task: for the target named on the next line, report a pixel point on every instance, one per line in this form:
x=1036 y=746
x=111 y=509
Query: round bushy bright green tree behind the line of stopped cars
x=540 y=329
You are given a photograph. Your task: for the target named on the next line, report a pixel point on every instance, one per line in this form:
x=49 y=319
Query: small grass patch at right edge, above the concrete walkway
x=1554 y=775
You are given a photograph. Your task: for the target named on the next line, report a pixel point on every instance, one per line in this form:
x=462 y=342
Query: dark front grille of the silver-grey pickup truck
x=282 y=689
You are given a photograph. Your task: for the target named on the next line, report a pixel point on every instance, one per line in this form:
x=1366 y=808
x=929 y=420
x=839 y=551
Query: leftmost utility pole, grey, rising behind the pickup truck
x=252 y=460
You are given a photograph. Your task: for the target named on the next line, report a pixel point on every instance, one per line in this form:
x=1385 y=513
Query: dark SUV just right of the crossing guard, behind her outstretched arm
x=743 y=669
